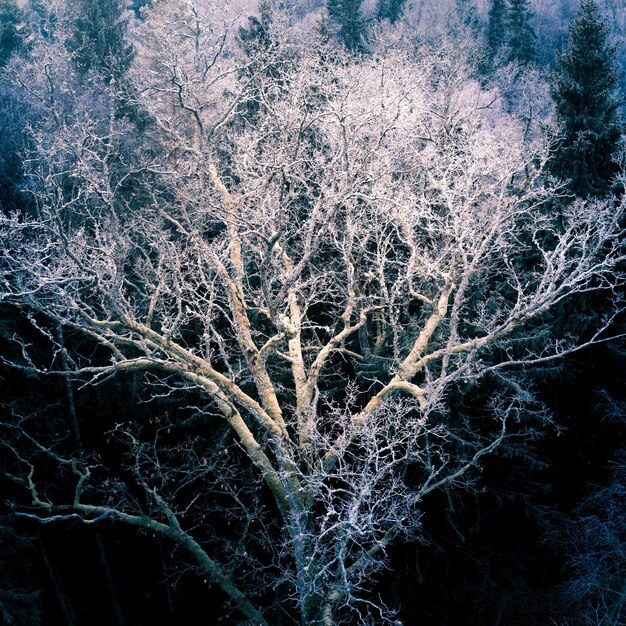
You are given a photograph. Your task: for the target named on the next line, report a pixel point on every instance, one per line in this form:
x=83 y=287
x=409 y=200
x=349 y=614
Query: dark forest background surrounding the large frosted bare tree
x=539 y=536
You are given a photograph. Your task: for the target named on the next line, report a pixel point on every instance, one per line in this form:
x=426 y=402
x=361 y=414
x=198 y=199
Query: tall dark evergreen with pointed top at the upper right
x=583 y=91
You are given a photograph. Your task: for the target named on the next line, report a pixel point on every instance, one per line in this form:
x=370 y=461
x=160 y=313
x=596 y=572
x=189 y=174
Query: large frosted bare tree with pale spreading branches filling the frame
x=319 y=282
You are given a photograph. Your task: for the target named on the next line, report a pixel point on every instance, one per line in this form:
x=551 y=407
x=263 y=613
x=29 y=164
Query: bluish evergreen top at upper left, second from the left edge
x=99 y=40
